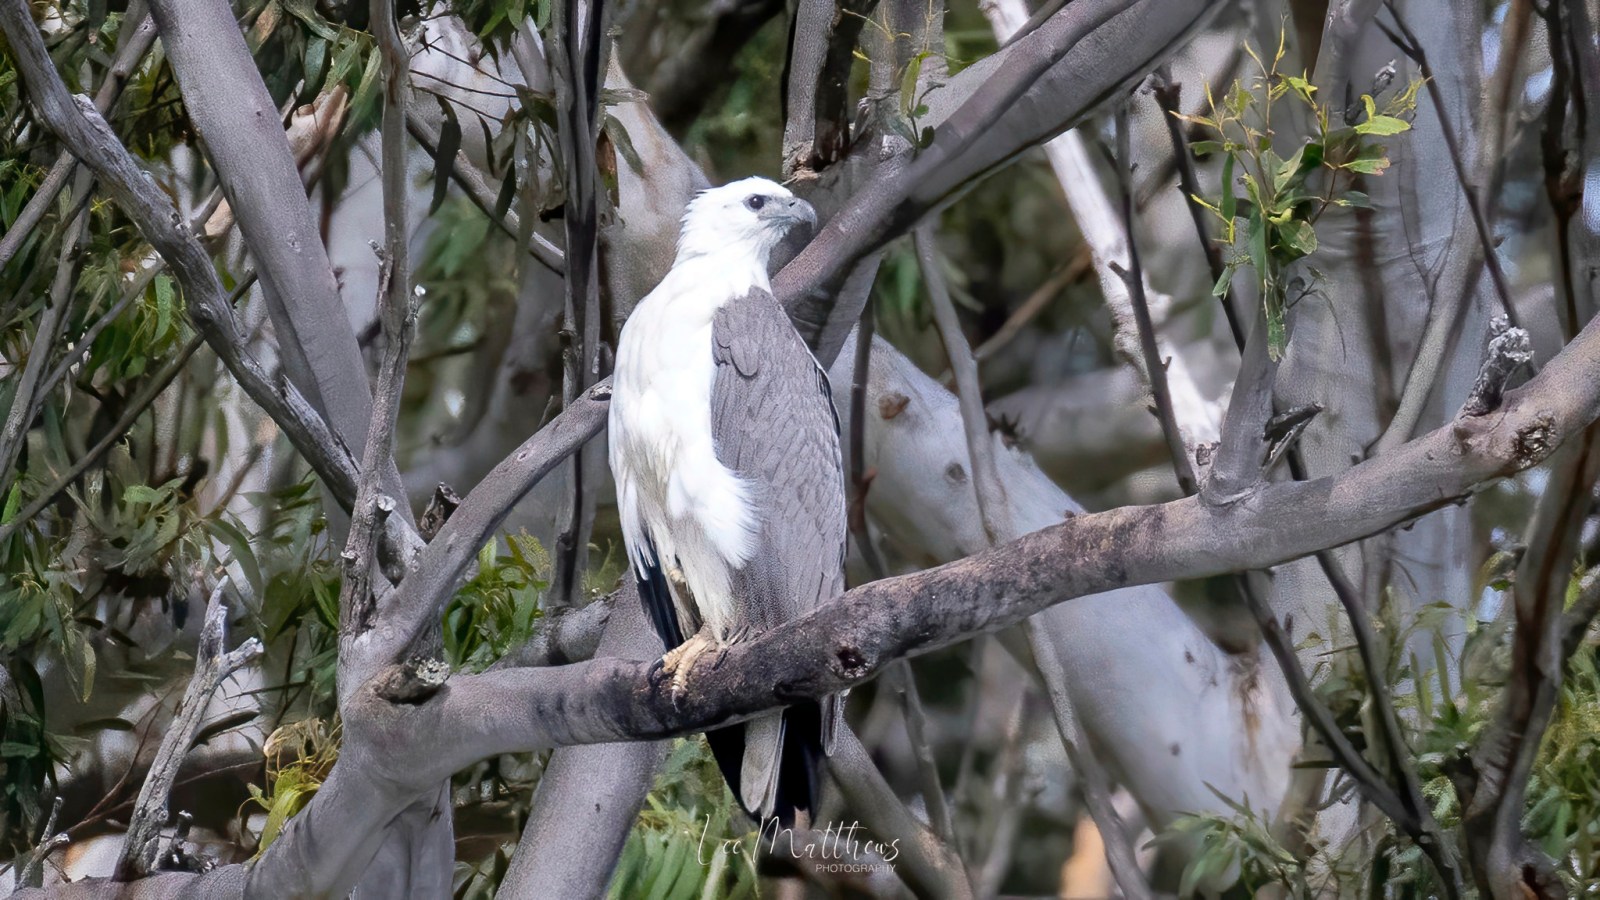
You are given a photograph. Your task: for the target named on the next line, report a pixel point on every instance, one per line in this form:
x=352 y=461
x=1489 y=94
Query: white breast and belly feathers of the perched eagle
x=663 y=454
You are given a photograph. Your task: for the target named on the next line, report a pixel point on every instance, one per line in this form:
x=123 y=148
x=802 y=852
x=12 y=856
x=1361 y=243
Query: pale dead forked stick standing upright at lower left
x=214 y=665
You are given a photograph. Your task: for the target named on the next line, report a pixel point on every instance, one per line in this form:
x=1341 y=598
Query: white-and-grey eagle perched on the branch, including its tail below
x=729 y=475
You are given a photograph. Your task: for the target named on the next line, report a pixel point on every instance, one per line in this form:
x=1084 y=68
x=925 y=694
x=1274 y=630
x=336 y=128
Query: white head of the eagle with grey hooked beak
x=748 y=217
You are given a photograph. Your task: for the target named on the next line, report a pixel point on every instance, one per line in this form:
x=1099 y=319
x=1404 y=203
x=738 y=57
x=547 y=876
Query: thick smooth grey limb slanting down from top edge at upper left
x=244 y=139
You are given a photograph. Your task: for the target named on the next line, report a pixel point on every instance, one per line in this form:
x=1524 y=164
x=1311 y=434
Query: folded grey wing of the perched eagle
x=774 y=424
